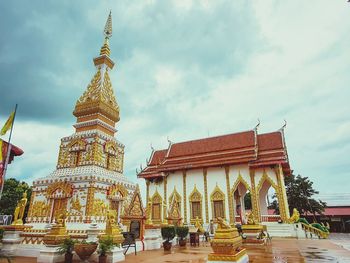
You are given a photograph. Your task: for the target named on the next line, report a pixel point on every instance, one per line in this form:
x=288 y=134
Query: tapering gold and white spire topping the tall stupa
x=97 y=108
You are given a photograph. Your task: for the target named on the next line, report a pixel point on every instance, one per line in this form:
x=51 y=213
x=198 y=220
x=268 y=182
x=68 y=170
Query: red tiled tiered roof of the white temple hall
x=245 y=147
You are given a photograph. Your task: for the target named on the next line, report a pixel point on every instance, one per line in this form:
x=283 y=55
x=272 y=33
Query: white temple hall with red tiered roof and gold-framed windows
x=208 y=178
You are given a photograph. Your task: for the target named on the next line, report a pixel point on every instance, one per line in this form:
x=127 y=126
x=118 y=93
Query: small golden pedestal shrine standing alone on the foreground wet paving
x=227 y=245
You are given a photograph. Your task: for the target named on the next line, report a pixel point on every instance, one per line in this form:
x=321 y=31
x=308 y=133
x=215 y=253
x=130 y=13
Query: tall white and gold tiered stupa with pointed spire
x=88 y=179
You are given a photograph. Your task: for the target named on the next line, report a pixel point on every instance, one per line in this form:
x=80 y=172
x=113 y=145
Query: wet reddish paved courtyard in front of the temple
x=335 y=249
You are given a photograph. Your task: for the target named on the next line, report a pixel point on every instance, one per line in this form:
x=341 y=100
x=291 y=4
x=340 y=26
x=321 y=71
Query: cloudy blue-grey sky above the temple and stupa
x=185 y=70
